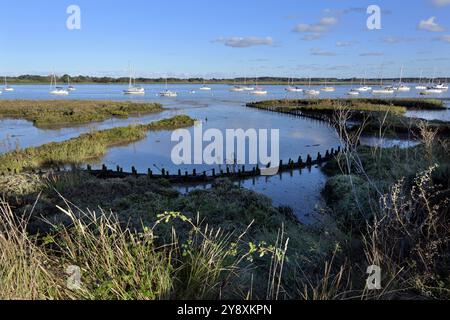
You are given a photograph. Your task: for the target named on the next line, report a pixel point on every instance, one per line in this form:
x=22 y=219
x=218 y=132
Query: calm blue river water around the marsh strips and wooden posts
x=219 y=109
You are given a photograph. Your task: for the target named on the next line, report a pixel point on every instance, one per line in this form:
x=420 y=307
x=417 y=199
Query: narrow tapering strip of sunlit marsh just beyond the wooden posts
x=87 y=146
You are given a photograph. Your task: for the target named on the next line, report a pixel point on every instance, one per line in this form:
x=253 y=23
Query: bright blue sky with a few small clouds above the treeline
x=224 y=38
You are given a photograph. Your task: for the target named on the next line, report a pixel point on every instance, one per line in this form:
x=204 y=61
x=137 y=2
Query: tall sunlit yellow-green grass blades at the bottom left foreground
x=117 y=262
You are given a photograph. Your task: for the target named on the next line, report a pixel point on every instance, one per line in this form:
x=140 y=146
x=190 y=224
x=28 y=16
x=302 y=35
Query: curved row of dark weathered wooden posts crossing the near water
x=204 y=176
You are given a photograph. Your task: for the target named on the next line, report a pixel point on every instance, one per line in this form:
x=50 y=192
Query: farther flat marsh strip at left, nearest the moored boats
x=46 y=113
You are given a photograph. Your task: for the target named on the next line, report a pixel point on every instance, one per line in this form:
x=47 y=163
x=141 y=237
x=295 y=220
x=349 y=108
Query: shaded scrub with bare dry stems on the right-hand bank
x=397 y=205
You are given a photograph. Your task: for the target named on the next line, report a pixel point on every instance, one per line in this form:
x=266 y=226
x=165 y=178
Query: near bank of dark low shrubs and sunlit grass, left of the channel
x=225 y=242
